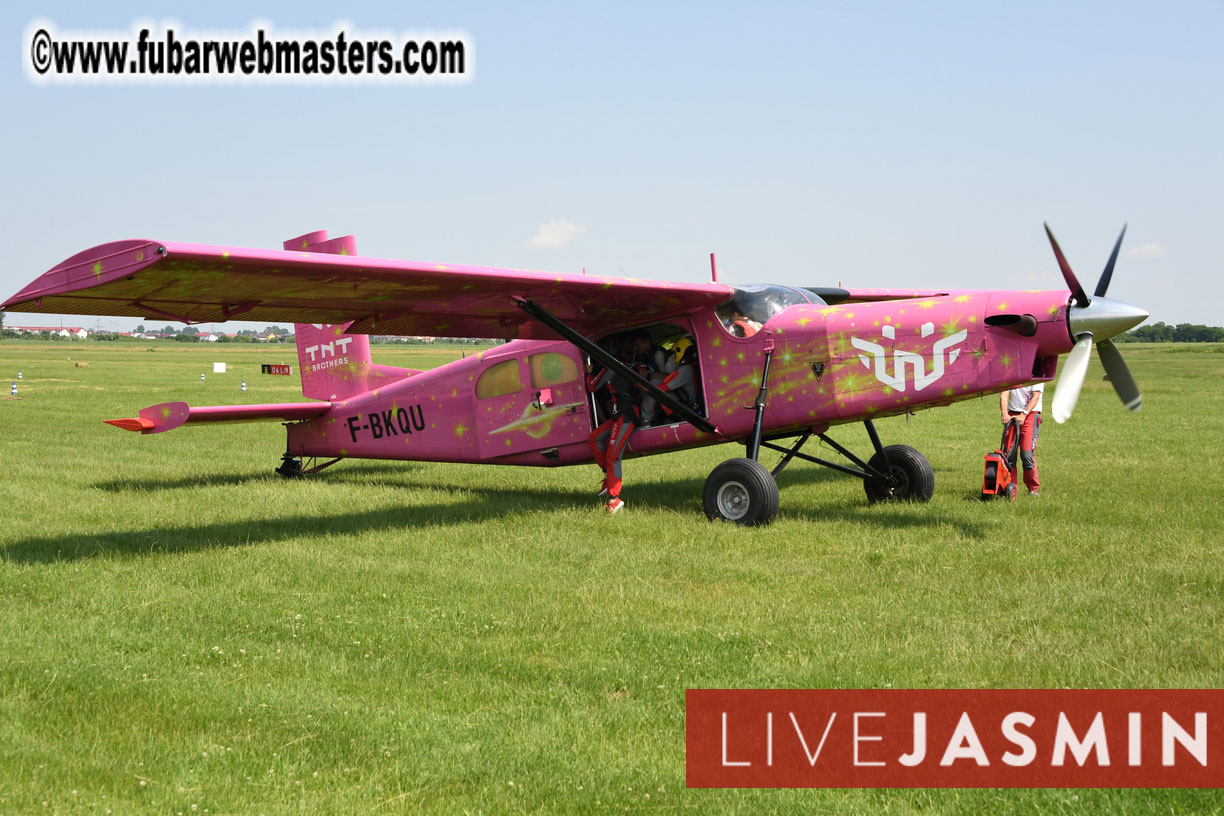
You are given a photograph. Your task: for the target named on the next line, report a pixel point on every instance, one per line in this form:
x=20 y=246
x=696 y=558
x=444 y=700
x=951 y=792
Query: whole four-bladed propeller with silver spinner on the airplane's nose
x=1095 y=321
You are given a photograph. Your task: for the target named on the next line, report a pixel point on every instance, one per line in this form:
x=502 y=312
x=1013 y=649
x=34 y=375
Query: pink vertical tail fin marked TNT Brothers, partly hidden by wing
x=336 y=365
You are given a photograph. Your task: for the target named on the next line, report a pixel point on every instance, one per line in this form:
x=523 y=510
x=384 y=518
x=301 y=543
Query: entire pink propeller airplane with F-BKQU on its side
x=766 y=364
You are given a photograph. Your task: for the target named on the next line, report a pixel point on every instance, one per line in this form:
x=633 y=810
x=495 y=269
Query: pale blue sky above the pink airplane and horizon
x=864 y=144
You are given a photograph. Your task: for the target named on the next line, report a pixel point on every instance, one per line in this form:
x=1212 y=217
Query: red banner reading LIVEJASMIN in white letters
x=948 y=738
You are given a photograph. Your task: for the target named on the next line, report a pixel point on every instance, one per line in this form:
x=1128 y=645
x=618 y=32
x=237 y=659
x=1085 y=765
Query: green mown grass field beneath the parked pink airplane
x=183 y=633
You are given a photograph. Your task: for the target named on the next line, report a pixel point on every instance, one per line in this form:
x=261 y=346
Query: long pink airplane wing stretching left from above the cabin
x=196 y=283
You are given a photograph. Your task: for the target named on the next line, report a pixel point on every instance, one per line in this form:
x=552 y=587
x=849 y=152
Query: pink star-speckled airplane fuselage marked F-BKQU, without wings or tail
x=526 y=403
